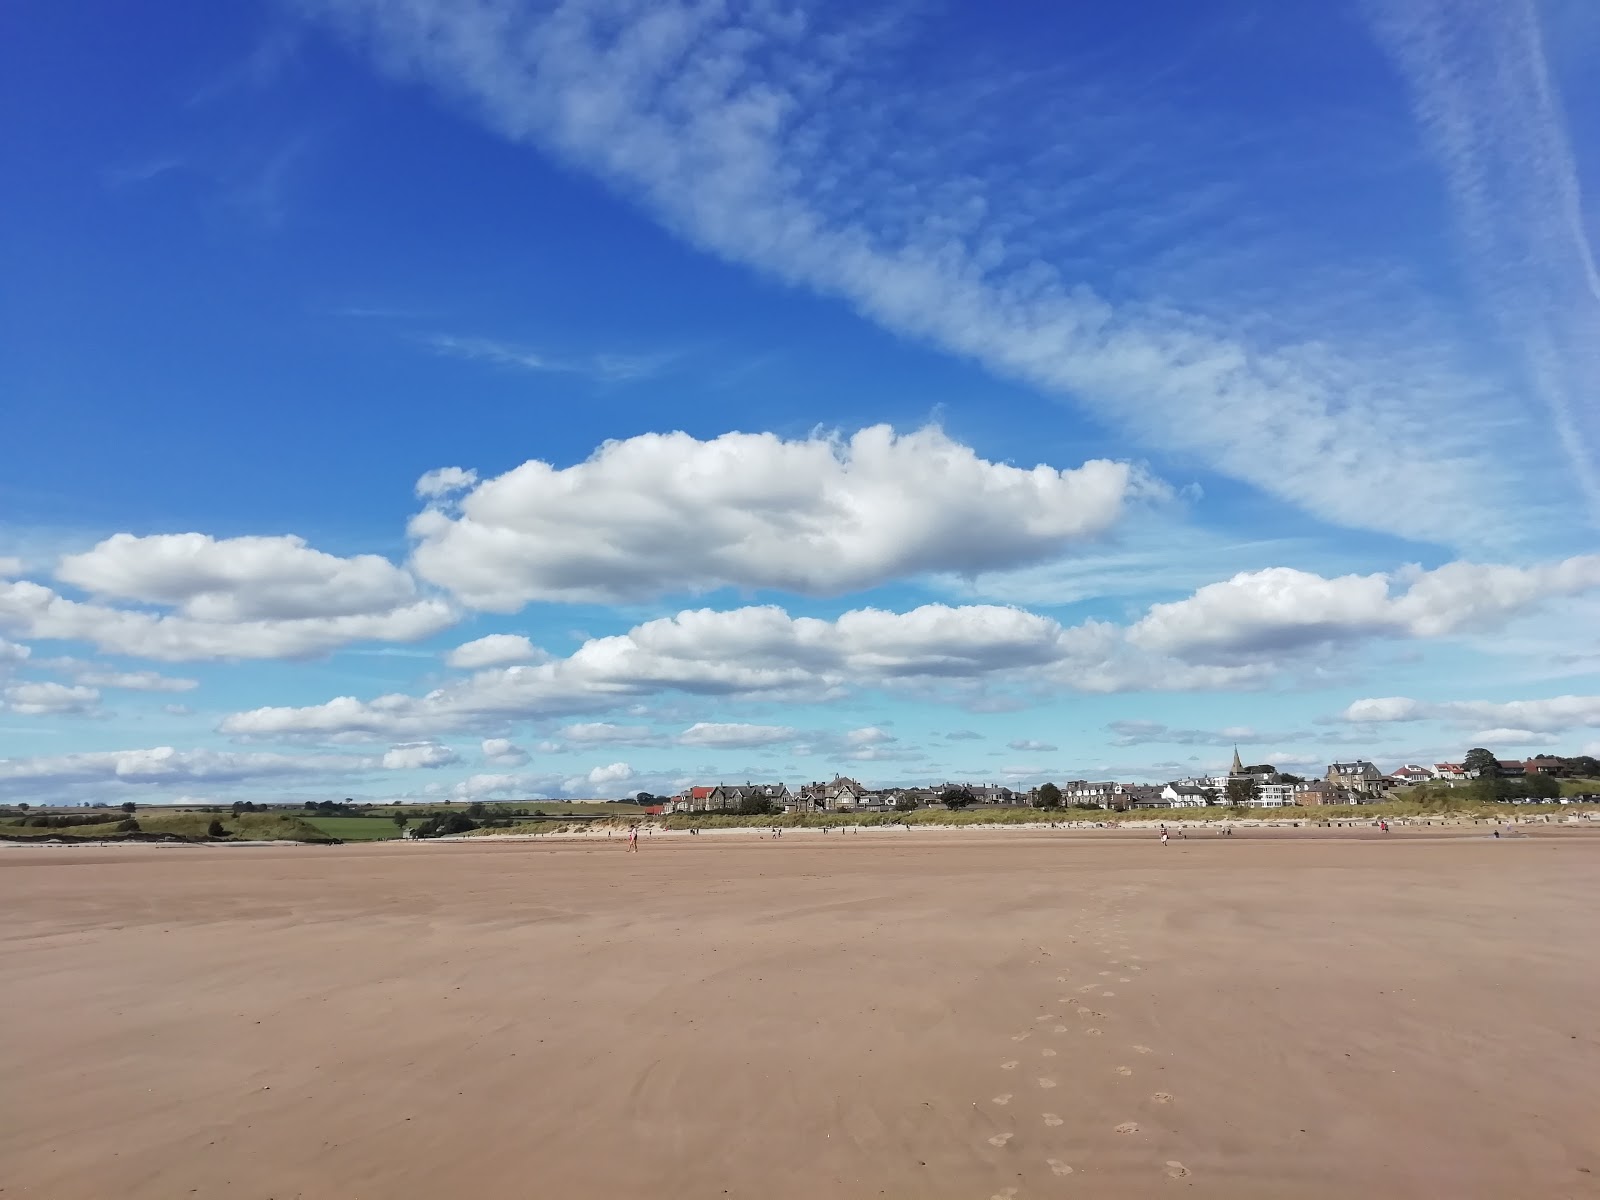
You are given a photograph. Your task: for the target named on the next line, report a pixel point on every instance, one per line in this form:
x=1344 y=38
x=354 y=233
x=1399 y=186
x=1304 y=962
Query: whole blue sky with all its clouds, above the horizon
x=500 y=401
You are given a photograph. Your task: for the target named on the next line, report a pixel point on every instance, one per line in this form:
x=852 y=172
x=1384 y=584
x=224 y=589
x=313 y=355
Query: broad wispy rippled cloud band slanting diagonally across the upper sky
x=754 y=135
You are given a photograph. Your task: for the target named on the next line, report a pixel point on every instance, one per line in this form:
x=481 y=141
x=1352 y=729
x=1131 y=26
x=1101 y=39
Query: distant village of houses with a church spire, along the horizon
x=1257 y=786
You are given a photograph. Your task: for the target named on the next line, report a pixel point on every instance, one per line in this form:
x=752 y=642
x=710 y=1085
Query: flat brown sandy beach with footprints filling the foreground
x=1006 y=1015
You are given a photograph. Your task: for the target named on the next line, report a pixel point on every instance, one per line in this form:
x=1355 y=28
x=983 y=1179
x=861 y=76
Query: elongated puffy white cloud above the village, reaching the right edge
x=1282 y=609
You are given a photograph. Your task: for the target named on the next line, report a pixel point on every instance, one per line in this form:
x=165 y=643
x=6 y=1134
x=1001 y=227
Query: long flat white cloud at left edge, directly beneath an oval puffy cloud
x=41 y=614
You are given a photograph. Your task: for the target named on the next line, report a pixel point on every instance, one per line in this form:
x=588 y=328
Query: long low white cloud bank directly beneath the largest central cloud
x=761 y=652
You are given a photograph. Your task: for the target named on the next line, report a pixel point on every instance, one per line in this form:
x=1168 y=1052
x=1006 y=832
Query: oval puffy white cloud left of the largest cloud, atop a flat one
x=238 y=580
